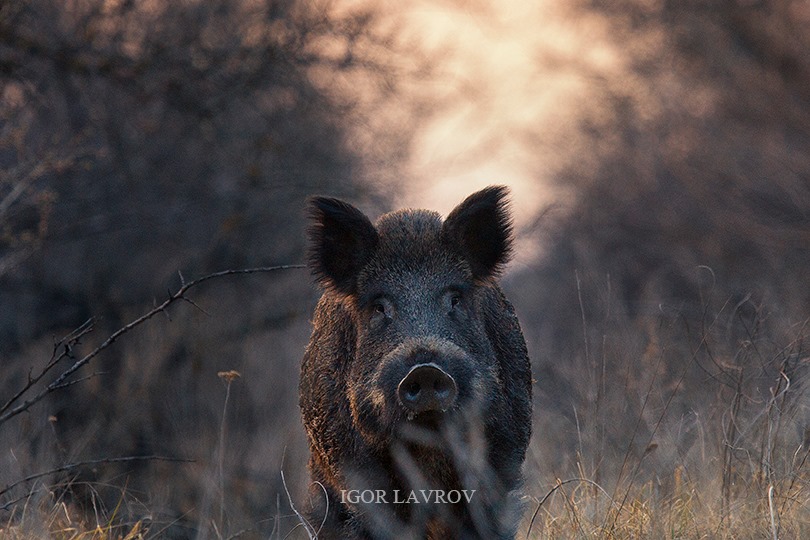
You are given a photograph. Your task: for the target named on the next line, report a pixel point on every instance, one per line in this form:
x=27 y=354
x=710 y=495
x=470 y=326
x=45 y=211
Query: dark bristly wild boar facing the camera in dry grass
x=416 y=377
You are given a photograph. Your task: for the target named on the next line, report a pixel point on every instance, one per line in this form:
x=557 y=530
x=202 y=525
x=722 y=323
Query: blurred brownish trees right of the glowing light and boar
x=690 y=221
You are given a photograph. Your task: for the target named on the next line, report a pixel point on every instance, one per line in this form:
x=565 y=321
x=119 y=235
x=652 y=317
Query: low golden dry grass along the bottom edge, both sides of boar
x=690 y=506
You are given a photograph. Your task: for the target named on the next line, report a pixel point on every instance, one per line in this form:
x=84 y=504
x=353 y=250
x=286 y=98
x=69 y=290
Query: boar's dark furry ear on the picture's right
x=480 y=230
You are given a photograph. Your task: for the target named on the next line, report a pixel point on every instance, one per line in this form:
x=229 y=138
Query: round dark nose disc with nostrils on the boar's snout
x=427 y=387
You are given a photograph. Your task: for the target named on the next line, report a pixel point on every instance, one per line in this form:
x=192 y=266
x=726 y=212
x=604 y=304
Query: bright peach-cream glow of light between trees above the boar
x=505 y=88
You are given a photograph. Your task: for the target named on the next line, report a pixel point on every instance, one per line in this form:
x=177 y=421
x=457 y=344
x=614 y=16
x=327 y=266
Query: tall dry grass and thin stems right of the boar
x=717 y=445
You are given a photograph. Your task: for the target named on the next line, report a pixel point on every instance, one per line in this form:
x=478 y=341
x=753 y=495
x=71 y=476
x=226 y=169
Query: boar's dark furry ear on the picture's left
x=341 y=242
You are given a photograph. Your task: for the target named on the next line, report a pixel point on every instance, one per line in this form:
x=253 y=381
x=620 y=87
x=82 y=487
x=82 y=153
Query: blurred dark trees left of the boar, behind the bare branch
x=139 y=139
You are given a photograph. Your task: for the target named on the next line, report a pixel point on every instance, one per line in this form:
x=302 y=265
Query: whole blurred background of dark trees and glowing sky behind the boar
x=658 y=158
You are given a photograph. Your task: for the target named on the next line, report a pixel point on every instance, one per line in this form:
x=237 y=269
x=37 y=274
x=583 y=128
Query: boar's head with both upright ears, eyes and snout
x=418 y=290
